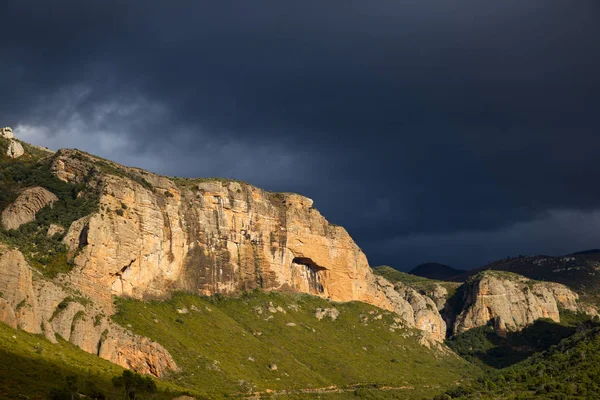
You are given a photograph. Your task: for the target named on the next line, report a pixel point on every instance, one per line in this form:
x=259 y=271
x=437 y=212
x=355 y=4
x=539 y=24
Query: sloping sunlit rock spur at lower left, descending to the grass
x=40 y=306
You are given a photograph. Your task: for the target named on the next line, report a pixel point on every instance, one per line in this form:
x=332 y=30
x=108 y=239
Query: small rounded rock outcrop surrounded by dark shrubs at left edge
x=26 y=206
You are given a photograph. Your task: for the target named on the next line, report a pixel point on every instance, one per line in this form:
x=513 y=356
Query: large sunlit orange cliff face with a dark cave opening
x=153 y=235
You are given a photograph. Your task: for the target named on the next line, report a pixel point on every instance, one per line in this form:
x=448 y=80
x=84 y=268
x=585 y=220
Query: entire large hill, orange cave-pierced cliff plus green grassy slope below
x=111 y=260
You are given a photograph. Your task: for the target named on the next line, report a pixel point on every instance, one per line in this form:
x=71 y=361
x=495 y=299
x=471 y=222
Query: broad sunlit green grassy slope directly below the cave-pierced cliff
x=214 y=344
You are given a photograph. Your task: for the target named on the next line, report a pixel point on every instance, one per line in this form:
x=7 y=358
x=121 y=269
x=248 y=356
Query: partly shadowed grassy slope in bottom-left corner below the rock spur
x=32 y=367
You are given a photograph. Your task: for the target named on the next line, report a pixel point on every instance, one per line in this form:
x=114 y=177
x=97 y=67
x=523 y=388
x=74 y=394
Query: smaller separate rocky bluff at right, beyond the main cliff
x=511 y=301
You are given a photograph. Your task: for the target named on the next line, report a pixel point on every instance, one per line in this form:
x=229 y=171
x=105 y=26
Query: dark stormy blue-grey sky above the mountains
x=452 y=131
